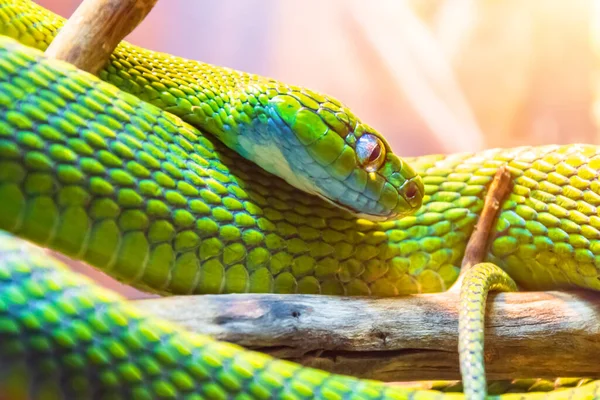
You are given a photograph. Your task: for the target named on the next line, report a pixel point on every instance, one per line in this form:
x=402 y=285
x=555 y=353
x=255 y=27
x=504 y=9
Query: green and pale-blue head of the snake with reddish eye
x=333 y=155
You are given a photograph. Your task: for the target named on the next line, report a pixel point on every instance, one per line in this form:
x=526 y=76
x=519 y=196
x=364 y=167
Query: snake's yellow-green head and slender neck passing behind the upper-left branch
x=238 y=108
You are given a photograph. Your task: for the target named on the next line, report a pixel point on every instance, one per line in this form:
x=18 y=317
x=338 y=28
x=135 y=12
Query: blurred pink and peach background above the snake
x=434 y=76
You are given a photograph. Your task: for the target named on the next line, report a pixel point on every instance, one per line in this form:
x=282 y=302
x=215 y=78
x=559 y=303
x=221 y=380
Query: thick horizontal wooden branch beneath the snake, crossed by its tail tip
x=536 y=334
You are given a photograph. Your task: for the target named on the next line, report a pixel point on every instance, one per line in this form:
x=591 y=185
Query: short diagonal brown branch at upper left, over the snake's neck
x=95 y=29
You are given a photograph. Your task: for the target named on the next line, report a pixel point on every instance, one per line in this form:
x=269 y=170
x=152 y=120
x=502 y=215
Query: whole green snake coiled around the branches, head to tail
x=127 y=182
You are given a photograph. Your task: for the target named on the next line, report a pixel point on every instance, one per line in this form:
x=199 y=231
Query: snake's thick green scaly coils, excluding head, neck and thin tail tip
x=156 y=204
